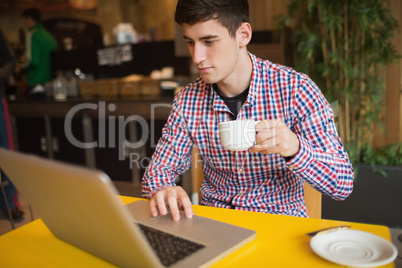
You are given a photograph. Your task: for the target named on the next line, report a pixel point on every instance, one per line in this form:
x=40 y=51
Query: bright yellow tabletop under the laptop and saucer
x=280 y=242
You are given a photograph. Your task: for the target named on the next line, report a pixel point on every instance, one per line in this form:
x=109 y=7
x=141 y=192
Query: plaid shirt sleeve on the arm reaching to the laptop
x=172 y=155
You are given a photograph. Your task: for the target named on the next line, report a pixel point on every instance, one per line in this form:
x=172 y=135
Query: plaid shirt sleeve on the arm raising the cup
x=321 y=160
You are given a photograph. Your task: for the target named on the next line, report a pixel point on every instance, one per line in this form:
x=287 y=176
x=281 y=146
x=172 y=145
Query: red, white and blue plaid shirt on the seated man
x=255 y=182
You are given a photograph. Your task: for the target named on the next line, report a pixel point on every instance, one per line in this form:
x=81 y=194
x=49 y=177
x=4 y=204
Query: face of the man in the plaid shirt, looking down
x=214 y=52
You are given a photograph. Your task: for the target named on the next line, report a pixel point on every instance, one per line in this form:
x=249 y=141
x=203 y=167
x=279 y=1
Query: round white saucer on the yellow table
x=354 y=248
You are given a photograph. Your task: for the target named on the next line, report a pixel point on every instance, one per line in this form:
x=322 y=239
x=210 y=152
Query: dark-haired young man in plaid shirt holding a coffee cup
x=296 y=138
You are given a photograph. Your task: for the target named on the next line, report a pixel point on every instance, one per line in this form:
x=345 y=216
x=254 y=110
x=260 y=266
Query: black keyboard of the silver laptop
x=169 y=248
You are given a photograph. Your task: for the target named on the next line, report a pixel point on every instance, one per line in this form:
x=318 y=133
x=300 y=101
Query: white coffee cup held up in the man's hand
x=237 y=135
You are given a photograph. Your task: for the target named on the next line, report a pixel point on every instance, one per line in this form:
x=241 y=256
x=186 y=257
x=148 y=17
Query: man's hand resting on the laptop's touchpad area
x=173 y=197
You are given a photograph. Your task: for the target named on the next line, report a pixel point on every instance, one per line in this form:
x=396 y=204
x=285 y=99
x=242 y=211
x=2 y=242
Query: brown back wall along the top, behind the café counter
x=145 y=15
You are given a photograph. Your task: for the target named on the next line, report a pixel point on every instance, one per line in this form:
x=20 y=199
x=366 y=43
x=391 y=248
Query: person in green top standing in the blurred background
x=38 y=47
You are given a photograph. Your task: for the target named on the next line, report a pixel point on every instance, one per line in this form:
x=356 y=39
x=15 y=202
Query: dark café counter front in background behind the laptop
x=117 y=135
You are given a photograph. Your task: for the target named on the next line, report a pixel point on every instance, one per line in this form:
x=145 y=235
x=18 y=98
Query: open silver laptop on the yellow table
x=82 y=207
